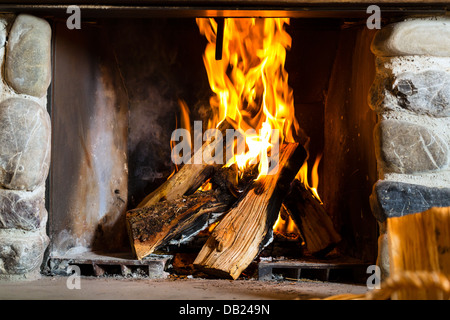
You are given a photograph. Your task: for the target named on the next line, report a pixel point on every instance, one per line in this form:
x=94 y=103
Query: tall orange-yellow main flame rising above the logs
x=250 y=85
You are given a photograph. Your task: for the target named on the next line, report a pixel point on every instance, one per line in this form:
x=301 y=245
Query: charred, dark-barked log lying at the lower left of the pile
x=174 y=221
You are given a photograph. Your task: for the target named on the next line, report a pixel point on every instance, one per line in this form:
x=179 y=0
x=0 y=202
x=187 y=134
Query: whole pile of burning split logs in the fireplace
x=244 y=208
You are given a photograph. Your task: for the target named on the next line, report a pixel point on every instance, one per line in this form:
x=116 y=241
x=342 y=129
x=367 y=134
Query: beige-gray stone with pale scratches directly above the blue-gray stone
x=403 y=147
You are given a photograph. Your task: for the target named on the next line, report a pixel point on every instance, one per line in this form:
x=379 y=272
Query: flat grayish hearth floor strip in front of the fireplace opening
x=111 y=288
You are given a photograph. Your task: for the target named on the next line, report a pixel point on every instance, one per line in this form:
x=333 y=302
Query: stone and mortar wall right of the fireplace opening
x=411 y=95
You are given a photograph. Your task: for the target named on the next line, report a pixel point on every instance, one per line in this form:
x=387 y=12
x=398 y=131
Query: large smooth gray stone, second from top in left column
x=24 y=144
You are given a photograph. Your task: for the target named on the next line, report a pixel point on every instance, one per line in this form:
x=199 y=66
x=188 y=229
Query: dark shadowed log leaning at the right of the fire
x=312 y=220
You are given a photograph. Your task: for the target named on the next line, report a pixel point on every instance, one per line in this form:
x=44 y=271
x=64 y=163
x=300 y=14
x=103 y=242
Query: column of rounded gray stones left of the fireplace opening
x=25 y=129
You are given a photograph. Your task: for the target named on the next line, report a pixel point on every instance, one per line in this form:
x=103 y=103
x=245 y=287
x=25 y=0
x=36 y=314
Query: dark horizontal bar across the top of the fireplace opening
x=186 y=9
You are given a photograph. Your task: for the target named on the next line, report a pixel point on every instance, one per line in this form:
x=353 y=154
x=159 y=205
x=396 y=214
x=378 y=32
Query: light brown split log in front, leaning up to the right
x=247 y=228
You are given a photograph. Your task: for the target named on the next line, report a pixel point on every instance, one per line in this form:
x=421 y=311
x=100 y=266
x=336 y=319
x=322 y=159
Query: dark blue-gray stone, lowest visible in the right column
x=396 y=199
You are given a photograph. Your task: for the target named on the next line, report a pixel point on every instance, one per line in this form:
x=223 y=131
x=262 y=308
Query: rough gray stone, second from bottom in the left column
x=23 y=209
